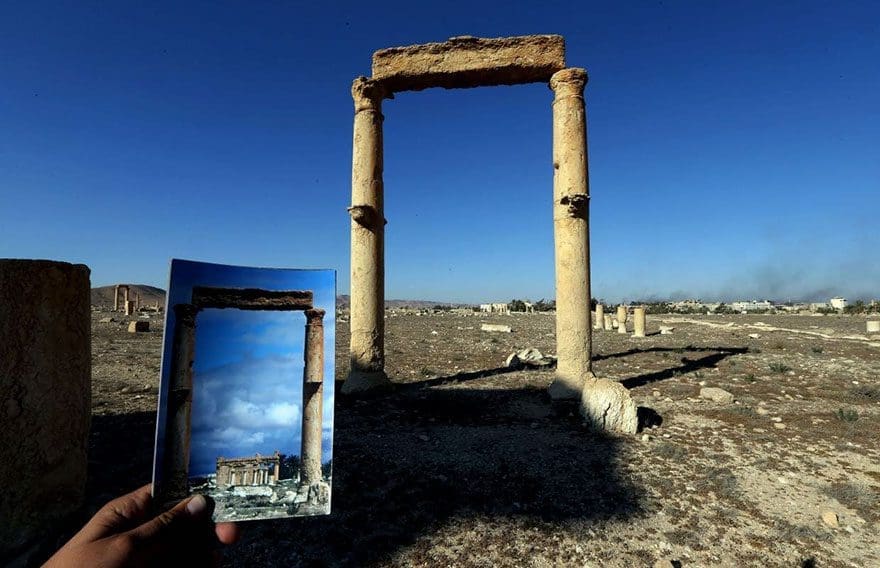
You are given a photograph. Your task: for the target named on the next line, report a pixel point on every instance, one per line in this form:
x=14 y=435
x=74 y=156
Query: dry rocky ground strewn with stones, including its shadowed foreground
x=466 y=463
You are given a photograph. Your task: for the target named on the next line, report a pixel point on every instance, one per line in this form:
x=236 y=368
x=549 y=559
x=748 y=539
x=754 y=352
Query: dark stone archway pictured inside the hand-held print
x=173 y=483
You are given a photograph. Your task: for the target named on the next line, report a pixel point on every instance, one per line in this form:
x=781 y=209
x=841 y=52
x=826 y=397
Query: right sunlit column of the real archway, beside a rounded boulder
x=571 y=195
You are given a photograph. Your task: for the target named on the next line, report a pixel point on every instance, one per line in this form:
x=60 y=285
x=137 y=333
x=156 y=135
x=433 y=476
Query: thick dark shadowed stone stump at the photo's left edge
x=45 y=392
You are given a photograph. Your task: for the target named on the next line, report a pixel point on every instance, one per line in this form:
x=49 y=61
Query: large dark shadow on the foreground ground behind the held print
x=410 y=461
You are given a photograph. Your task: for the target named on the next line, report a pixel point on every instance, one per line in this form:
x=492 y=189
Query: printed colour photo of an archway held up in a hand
x=246 y=396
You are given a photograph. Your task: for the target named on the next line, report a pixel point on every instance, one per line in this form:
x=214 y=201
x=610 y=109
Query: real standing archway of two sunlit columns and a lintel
x=464 y=62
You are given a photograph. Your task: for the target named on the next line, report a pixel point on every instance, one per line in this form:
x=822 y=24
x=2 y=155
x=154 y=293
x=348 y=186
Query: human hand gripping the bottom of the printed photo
x=124 y=533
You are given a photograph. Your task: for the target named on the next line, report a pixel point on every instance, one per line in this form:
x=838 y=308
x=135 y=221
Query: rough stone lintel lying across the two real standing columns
x=466 y=61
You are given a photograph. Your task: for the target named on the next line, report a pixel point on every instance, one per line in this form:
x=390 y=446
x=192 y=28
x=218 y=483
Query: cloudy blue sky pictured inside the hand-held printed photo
x=248 y=369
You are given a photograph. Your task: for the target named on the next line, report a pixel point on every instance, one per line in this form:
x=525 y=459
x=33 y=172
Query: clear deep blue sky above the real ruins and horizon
x=733 y=145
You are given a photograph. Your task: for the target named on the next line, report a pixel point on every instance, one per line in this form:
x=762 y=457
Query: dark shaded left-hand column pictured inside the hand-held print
x=173 y=484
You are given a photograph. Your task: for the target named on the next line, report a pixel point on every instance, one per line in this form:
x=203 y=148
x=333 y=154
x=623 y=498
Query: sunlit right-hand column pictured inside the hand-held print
x=313 y=396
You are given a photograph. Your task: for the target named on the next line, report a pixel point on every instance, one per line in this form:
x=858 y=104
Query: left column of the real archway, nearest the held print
x=367 y=347
